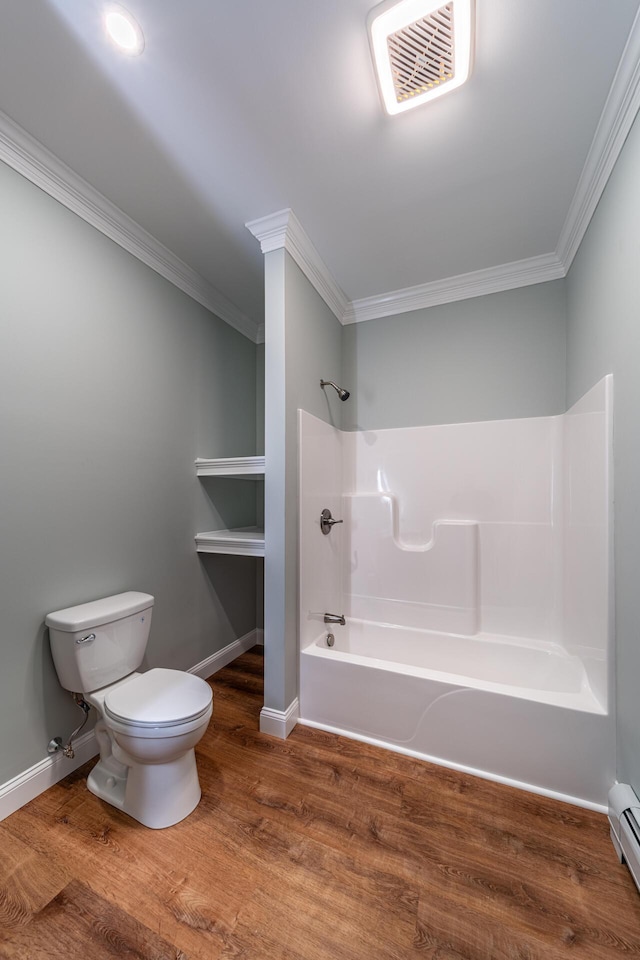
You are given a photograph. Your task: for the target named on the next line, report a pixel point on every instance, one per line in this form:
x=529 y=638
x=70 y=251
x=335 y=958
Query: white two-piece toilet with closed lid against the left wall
x=149 y=723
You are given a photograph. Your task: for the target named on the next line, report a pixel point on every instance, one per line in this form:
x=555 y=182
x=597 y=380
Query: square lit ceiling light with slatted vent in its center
x=421 y=49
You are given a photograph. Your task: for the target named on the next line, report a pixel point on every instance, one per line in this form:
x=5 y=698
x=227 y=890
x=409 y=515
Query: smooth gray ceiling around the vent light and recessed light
x=240 y=108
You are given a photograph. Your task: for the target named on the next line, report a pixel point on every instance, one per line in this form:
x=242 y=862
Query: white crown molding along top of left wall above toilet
x=27 y=156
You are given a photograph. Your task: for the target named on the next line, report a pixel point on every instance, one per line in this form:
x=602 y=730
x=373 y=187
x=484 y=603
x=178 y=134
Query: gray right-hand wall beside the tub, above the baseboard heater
x=603 y=296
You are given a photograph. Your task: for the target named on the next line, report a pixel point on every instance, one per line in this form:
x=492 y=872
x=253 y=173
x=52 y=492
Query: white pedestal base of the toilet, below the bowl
x=158 y=795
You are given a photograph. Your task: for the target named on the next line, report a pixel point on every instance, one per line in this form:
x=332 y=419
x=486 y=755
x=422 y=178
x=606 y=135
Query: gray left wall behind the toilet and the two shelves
x=111 y=383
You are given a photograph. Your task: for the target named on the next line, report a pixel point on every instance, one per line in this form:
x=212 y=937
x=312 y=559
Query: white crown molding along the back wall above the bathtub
x=507 y=276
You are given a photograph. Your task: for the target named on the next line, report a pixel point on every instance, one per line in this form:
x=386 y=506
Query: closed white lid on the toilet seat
x=159 y=698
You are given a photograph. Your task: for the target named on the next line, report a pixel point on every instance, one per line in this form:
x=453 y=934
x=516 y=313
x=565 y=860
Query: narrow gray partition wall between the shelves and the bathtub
x=303 y=346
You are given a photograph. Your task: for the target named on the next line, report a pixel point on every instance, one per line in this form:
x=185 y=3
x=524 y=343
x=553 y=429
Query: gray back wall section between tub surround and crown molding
x=487 y=358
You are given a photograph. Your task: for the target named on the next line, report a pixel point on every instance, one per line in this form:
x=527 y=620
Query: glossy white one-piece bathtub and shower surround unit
x=489 y=652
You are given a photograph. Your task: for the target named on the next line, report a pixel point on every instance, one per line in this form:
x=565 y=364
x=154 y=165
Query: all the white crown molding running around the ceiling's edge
x=282 y=230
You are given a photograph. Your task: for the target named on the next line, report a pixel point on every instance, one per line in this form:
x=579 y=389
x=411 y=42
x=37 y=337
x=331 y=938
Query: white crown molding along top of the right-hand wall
x=618 y=114
